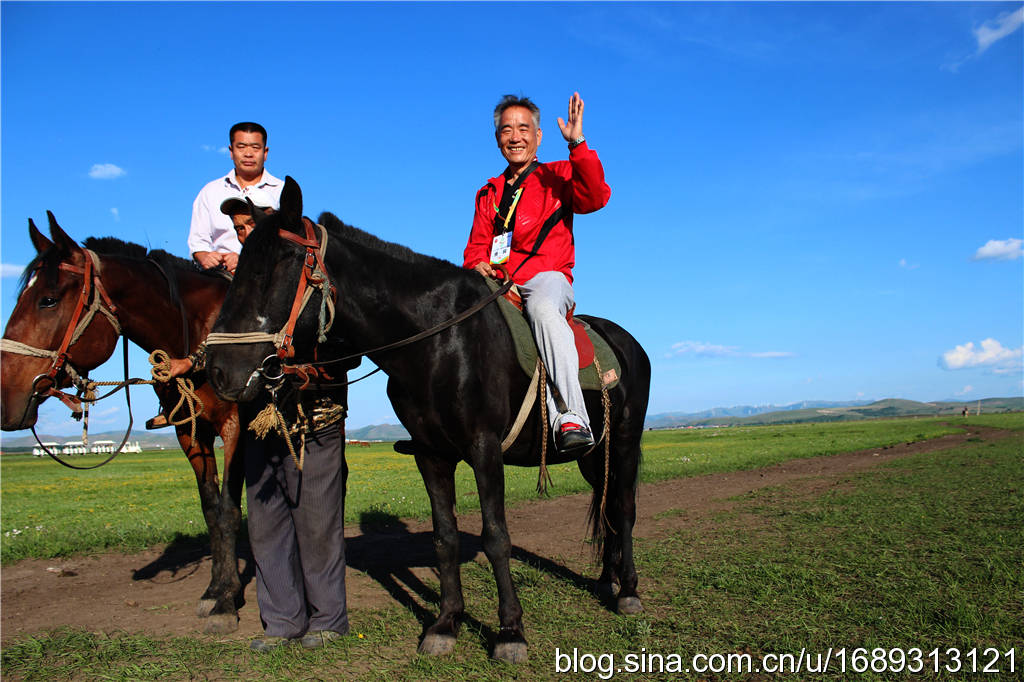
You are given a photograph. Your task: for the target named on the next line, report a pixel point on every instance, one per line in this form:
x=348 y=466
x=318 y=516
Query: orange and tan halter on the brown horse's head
x=93 y=295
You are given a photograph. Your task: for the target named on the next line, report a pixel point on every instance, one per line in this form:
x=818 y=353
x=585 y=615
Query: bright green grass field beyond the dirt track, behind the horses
x=143 y=500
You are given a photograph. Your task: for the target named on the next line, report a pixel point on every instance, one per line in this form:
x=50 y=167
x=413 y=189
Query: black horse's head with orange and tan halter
x=266 y=319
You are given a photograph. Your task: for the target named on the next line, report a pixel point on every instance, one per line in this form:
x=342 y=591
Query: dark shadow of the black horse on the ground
x=374 y=553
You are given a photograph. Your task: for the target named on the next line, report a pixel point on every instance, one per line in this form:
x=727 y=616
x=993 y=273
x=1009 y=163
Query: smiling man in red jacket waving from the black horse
x=524 y=221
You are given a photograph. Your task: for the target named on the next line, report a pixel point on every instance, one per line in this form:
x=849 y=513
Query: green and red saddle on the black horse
x=590 y=346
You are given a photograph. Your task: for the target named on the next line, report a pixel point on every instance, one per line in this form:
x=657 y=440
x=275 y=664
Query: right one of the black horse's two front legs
x=511 y=644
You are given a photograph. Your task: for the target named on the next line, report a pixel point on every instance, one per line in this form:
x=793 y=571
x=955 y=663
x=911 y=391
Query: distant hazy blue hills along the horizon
x=807 y=411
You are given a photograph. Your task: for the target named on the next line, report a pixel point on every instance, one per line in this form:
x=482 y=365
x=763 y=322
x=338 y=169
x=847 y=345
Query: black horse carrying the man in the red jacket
x=457 y=392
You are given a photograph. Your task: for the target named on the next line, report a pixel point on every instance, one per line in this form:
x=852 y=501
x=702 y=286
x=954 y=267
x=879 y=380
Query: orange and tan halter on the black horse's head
x=314 y=277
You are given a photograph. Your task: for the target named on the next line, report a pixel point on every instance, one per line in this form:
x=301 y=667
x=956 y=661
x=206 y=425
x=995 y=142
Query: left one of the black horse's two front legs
x=439 y=477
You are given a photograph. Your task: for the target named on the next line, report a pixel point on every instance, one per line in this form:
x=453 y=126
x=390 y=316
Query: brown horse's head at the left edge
x=48 y=334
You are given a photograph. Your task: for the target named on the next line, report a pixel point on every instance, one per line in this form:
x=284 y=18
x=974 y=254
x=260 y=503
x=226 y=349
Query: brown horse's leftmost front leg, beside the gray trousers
x=203 y=459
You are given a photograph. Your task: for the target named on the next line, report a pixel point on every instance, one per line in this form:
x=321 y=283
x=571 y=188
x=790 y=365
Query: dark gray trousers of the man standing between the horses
x=296 y=530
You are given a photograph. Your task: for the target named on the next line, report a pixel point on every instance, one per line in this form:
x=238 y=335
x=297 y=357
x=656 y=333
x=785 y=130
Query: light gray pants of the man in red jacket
x=547 y=299
